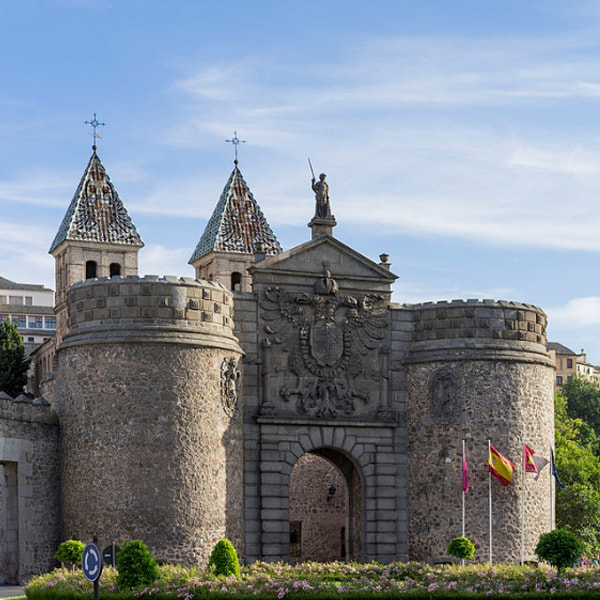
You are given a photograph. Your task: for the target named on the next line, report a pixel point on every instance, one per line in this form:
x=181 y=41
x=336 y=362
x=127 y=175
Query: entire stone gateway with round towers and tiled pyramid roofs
x=280 y=399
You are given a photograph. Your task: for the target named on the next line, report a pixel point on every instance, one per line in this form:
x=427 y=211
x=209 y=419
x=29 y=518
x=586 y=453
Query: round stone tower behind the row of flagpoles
x=477 y=371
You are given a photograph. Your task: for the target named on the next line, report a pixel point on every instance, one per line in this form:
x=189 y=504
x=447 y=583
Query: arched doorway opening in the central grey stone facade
x=325 y=508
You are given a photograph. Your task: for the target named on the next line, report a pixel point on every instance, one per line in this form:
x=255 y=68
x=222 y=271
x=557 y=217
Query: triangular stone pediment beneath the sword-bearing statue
x=309 y=260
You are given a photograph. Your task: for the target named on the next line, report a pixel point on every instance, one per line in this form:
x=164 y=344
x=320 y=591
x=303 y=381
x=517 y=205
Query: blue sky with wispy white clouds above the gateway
x=460 y=137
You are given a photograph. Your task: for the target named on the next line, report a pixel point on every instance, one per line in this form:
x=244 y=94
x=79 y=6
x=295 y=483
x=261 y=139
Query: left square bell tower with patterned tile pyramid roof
x=96 y=238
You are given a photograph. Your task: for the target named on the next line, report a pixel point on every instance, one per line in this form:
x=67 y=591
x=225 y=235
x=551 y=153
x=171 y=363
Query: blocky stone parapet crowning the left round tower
x=135 y=309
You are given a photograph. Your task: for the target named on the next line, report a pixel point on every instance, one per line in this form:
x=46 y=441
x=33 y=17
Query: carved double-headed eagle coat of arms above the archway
x=328 y=338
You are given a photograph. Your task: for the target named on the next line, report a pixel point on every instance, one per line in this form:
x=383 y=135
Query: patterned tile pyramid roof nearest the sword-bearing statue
x=237 y=223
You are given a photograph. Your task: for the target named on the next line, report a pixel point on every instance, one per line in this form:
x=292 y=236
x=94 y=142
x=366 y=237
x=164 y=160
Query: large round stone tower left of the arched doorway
x=151 y=430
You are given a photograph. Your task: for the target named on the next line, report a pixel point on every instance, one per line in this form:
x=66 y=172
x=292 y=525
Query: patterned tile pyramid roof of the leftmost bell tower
x=96 y=213
